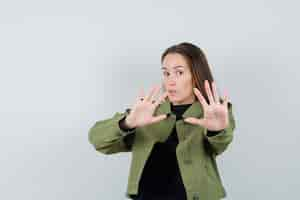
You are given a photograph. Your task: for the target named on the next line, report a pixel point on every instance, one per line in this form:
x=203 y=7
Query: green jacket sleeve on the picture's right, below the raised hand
x=219 y=141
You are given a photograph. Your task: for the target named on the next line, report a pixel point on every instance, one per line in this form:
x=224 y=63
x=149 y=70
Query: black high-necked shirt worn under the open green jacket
x=161 y=178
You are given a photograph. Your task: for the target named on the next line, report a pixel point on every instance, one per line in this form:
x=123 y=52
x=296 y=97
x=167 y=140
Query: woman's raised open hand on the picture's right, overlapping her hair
x=215 y=116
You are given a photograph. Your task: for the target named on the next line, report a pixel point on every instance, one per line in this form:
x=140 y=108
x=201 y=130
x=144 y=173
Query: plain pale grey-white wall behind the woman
x=66 y=64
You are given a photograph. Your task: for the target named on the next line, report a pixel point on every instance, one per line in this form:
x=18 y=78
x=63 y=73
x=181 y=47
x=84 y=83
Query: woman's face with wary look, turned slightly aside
x=177 y=79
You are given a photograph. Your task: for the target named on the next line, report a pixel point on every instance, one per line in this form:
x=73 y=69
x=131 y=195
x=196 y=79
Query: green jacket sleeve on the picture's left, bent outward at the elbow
x=108 y=137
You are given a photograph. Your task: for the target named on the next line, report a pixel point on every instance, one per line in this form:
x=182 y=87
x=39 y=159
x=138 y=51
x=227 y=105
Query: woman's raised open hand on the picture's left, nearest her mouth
x=141 y=113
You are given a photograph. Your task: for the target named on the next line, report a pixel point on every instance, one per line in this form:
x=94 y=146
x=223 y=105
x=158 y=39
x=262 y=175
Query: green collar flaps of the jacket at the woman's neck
x=195 y=110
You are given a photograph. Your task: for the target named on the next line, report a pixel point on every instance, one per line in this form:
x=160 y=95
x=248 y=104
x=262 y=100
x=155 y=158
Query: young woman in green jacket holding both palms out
x=174 y=137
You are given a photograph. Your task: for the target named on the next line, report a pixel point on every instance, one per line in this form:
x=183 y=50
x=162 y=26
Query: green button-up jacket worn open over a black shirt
x=196 y=151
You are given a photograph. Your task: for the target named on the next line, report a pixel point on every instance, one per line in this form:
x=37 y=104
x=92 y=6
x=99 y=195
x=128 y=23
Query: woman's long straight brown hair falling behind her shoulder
x=197 y=61
